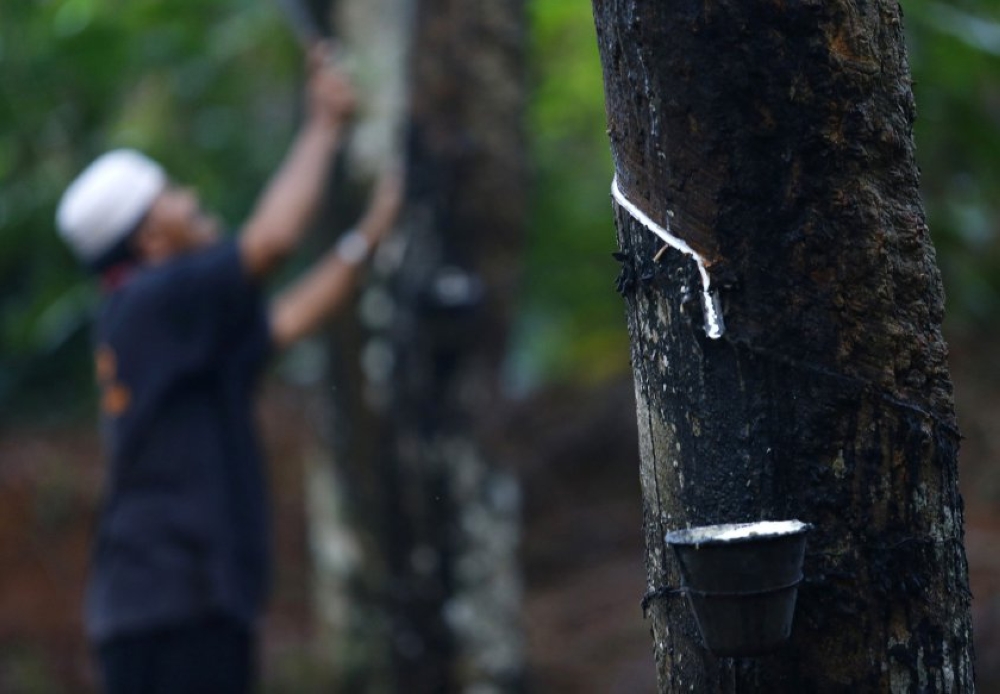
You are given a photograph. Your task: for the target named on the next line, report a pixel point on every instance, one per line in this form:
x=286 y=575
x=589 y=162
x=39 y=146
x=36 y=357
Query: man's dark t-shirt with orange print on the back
x=183 y=532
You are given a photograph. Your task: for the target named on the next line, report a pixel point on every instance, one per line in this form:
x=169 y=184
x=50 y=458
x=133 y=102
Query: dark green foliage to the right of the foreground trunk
x=955 y=58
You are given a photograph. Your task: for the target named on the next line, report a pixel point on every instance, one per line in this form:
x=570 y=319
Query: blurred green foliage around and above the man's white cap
x=207 y=88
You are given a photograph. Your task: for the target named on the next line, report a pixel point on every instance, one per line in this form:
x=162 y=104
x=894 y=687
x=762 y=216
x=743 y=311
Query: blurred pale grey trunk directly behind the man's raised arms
x=350 y=502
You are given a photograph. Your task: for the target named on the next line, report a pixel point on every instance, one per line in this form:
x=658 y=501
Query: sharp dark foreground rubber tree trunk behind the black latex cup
x=775 y=139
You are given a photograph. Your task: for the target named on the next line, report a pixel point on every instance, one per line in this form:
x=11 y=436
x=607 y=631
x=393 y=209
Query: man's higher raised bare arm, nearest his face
x=289 y=202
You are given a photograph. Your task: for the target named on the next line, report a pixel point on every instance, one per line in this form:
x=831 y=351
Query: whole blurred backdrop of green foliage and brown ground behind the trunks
x=211 y=88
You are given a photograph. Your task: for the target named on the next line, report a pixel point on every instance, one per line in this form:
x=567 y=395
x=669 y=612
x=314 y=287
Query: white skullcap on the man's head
x=107 y=200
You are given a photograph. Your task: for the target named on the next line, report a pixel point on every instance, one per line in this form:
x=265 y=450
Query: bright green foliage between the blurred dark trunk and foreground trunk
x=572 y=324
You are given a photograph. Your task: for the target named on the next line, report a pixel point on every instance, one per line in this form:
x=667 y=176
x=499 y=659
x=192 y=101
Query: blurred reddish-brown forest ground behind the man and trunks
x=576 y=454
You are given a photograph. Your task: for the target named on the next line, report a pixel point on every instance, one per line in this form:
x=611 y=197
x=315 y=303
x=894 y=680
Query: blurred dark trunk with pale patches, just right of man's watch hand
x=455 y=290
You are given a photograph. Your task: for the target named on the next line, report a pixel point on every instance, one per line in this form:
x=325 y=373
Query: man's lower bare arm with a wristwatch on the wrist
x=325 y=288
